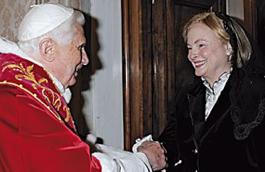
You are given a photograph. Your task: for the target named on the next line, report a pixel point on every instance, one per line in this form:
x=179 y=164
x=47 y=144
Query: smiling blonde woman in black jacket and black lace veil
x=218 y=123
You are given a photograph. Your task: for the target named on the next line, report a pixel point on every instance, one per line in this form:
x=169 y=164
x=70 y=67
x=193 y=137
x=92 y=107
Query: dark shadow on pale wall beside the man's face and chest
x=84 y=77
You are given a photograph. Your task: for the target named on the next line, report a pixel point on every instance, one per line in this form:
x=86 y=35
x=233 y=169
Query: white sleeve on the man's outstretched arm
x=117 y=160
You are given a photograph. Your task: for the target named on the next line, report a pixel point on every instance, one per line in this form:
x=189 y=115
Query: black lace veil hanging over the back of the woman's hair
x=247 y=95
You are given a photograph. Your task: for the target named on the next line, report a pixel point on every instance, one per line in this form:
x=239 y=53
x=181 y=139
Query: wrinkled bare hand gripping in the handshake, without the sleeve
x=155 y=154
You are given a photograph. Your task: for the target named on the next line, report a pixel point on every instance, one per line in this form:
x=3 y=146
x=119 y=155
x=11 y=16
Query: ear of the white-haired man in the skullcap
x=46 y=47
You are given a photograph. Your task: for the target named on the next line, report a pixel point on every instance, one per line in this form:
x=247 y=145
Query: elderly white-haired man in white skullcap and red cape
x=36 y=127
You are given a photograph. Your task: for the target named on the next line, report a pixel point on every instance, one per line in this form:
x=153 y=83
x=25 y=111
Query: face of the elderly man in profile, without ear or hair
x=71 y=58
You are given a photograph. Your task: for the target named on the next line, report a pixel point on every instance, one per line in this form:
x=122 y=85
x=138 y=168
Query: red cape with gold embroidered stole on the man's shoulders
x=34 y=136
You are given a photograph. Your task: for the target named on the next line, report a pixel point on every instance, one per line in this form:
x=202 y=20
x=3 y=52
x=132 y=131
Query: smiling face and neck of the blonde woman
x=207 y=52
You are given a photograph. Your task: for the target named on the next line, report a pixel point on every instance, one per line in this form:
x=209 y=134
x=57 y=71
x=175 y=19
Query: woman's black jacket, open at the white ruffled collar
x=214 y=145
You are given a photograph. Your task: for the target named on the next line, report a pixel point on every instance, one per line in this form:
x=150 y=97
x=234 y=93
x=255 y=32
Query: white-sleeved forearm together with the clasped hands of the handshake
x=147 y=156
